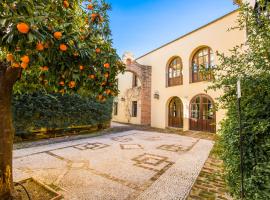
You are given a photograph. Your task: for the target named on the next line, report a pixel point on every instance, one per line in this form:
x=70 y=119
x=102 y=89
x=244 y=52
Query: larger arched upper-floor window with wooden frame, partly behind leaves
x=202 y=61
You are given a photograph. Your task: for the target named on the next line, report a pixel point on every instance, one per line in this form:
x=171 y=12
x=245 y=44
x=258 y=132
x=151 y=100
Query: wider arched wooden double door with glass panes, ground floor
x=202 y=114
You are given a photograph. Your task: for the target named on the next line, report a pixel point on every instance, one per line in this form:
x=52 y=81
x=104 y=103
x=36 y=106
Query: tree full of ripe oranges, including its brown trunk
x=61 y=46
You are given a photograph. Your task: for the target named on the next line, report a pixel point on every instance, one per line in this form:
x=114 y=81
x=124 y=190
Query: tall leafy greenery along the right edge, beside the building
x=251 y=63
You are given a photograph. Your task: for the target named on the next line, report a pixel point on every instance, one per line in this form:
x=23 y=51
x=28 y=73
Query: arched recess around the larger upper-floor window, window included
x=202 y=56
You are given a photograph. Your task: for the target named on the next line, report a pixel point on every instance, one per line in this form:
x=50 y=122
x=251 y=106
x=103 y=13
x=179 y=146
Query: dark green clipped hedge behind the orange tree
x=39 y=110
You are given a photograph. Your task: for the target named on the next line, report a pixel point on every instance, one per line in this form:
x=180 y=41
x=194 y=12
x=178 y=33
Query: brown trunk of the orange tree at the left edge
x=8 y=77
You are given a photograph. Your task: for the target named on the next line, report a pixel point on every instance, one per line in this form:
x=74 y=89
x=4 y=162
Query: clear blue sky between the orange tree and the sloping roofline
x=140 y=26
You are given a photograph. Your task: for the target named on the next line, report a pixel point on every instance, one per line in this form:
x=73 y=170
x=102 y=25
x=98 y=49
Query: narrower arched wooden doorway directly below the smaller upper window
x=175 y=113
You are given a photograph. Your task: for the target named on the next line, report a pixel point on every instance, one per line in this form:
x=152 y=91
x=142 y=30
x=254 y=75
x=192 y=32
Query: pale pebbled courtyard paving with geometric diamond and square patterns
x=129 y=165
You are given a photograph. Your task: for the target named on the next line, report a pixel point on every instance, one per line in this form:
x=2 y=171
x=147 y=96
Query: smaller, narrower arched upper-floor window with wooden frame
x=175 y=74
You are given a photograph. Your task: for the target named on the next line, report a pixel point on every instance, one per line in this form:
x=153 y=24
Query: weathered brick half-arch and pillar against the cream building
x=144 y=73
